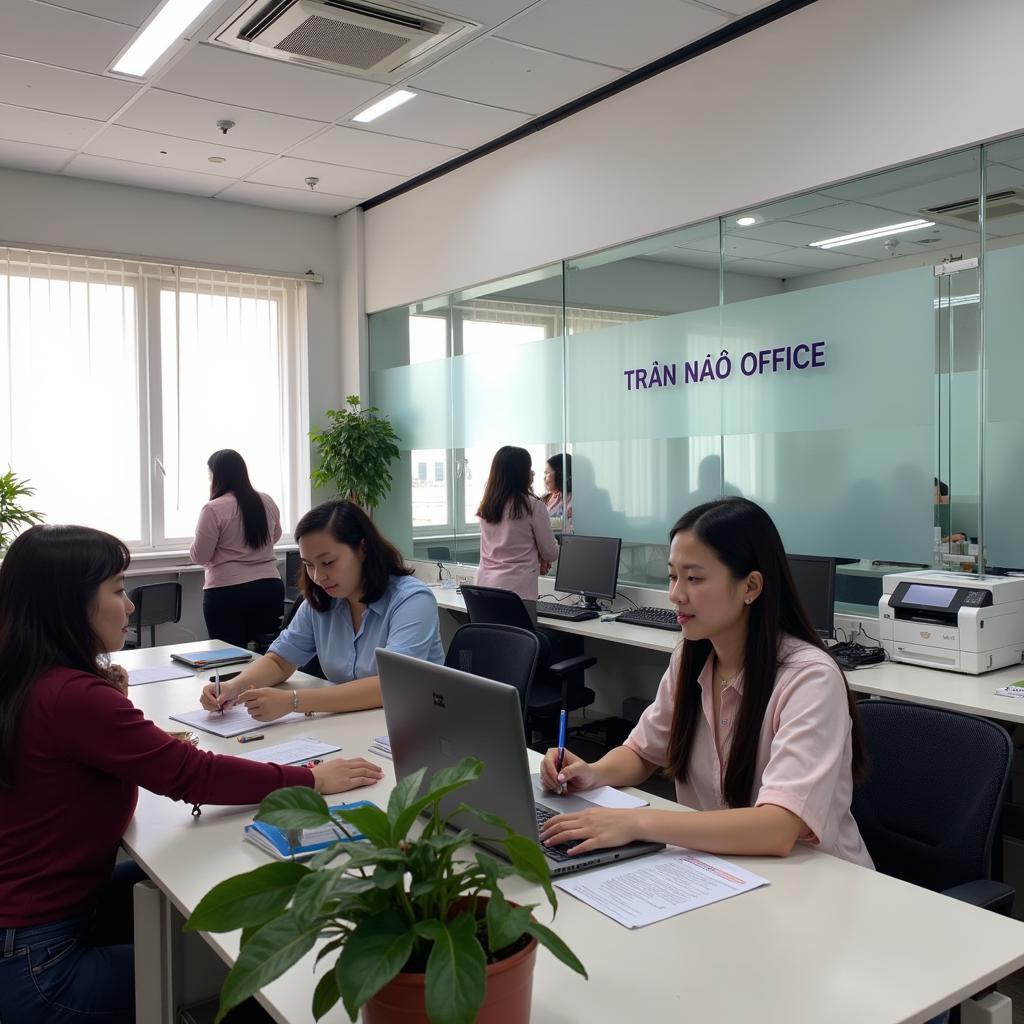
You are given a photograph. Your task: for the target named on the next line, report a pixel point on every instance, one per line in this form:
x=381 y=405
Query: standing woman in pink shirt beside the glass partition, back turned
x=517 y=541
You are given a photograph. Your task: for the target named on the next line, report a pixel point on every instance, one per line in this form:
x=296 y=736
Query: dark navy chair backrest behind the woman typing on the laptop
x=930 y=808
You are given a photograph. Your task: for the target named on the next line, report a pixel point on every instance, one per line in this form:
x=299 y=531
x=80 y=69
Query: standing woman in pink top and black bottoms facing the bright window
x=243 y=593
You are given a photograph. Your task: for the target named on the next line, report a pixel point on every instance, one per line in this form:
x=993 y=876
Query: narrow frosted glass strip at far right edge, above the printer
x=1004 y=538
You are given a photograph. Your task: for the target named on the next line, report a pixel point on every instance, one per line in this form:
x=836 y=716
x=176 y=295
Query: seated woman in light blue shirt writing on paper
x=359 y=596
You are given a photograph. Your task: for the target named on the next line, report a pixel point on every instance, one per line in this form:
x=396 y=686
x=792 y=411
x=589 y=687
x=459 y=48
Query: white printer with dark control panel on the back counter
x=953 y=621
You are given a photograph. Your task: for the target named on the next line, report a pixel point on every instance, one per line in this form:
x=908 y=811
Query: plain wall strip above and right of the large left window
x=53 y=211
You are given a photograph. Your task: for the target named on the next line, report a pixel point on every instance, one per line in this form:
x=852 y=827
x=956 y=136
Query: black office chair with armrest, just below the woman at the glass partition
x=554 y=682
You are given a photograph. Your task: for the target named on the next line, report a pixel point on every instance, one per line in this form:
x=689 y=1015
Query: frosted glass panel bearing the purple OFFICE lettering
x=841 y=454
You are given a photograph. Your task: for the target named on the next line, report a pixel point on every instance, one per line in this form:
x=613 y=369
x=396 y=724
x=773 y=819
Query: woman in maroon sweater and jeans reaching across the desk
x=73 y=752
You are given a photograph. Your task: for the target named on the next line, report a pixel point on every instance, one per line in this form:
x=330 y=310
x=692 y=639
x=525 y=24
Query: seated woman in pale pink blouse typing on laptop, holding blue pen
x=753 y=718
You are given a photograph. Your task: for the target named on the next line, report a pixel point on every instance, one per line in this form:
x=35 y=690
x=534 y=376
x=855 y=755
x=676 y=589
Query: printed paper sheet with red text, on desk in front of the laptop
x=649 y=889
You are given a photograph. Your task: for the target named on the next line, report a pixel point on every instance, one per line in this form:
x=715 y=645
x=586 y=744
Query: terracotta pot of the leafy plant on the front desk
x=510 y=988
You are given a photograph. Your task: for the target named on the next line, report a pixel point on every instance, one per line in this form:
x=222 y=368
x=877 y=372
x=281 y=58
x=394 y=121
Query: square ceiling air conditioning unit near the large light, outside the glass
x=375 y=40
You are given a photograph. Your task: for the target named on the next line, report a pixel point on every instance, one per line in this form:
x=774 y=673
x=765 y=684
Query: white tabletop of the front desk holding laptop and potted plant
x=827 y=941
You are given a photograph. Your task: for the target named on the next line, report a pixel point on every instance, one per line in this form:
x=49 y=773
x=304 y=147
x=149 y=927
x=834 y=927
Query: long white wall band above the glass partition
x=832 y=92
